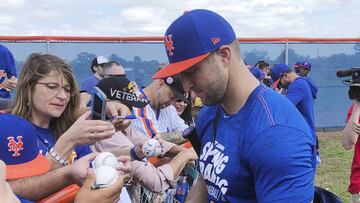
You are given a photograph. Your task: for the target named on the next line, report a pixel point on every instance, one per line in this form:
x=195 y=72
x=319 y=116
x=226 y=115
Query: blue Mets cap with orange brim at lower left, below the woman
x=20 y=151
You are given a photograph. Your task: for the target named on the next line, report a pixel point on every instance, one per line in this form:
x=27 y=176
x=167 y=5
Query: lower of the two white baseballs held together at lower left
x=105 y=176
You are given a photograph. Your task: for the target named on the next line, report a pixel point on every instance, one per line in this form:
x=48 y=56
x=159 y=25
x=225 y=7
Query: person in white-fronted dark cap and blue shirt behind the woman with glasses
x=97 y=68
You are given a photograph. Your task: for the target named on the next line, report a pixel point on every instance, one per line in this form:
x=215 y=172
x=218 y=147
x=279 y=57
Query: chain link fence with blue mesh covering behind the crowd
x=142 y=58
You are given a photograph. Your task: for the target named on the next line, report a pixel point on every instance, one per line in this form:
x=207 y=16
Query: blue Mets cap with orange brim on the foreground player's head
x=191 y=38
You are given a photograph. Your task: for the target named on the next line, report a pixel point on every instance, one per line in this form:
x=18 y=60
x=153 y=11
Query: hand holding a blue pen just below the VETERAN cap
x=114 y=109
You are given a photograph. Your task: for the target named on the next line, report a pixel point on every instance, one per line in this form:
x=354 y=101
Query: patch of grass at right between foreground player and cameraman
x=334 y=171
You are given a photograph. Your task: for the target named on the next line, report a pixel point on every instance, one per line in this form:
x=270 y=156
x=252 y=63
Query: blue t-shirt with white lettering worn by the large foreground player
x=264 y=153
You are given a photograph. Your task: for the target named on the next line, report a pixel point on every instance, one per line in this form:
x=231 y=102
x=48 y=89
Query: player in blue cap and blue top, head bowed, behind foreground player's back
x=301 y=91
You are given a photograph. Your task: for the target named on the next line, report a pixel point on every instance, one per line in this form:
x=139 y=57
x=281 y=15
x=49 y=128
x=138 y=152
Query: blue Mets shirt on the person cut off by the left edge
x=7 y=69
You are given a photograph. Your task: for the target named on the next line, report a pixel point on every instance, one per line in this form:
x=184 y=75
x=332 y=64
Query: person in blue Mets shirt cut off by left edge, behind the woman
x=8 y=76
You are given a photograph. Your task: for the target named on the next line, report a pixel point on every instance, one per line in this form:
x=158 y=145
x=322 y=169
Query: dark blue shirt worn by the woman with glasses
x=46 y=140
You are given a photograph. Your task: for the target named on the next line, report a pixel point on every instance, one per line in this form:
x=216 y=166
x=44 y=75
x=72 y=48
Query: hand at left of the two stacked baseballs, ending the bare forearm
x=80 y=168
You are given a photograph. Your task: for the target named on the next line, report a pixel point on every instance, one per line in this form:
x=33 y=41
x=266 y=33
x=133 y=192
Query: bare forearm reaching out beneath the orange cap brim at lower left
x=38 y=187
